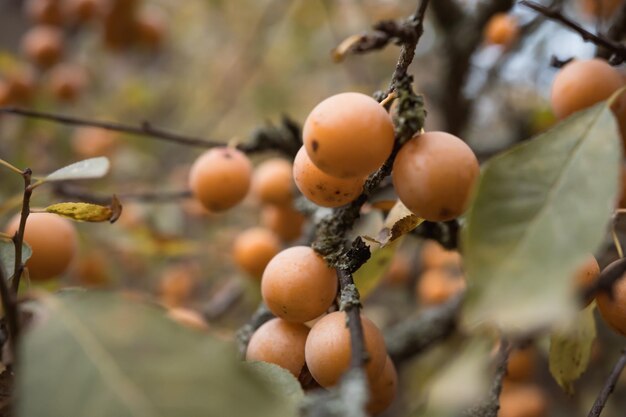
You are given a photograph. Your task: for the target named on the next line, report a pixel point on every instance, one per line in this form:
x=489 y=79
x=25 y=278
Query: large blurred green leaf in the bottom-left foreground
x=100 y=354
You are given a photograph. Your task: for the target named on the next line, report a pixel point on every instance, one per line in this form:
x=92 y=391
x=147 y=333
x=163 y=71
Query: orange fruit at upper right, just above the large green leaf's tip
x=581 y=84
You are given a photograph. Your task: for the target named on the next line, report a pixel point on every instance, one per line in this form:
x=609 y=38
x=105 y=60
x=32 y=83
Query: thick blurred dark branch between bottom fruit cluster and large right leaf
x=416 y=334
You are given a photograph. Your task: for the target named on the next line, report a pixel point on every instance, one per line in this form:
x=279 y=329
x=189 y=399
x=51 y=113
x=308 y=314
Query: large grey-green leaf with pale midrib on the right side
x=539 y=210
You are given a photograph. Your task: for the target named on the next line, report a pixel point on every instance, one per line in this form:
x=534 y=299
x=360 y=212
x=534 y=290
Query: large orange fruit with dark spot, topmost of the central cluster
x=348 y=135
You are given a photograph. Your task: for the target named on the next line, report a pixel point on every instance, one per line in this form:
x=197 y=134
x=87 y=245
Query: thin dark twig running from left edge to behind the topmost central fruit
x=285 y=139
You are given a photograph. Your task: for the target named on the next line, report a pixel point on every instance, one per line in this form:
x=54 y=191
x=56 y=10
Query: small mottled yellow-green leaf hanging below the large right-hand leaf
x=570 y=351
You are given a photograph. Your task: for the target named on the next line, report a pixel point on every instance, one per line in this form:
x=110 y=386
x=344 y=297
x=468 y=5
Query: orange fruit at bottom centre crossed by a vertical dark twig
x=328 y=349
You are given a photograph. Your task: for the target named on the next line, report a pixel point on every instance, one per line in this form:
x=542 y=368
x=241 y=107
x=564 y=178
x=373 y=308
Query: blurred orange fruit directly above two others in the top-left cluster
x=43 y=45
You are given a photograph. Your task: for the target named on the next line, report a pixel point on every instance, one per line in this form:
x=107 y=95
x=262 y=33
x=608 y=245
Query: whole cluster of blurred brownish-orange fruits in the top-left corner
x=122 y=23
